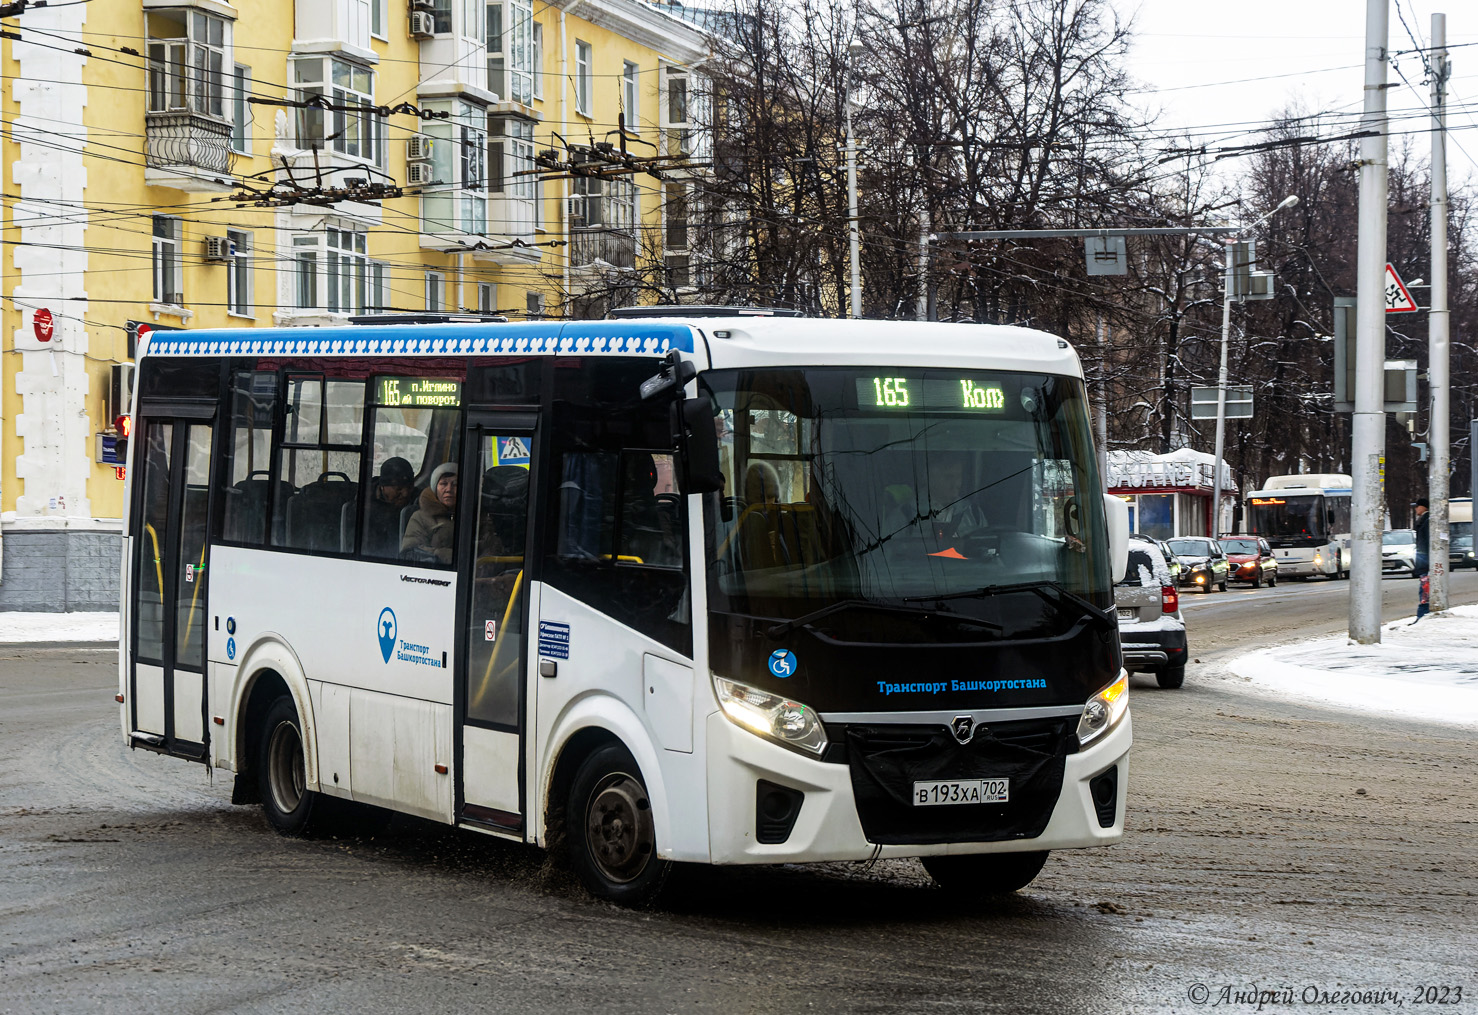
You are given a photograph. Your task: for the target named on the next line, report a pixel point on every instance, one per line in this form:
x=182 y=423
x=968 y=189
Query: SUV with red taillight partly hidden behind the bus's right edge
x=1152 y=632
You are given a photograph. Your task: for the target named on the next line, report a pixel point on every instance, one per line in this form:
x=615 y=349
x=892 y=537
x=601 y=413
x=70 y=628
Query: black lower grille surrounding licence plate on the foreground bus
x=888 y=760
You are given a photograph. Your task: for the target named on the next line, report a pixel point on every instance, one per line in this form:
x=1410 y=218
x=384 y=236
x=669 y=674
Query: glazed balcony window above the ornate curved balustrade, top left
x=187 y=63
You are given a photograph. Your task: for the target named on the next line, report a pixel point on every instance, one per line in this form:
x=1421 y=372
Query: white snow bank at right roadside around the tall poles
x=1427 y=671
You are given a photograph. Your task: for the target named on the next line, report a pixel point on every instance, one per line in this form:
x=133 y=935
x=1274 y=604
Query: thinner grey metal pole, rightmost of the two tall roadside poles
x=1439 y=367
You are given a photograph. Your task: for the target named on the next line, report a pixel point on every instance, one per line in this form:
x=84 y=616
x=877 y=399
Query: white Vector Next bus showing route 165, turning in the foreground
x=719 y=590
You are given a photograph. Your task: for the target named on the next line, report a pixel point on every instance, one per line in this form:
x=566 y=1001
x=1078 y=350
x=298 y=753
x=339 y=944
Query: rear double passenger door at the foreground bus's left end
x=168 y=682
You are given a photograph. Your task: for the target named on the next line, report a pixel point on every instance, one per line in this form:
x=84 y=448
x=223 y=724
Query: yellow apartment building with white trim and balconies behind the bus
x=205 y=165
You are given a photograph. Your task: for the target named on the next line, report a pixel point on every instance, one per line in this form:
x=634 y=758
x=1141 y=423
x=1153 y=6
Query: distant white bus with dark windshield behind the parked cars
x=1306 y=519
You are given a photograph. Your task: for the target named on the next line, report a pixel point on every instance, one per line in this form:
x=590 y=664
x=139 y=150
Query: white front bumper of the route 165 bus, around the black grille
x=828 y=828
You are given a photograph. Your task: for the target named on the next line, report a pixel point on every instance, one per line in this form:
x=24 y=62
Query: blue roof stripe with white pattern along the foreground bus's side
x=577 y=339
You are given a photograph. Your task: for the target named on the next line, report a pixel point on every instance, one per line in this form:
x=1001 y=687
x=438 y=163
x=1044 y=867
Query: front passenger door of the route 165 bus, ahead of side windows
x=491 y=701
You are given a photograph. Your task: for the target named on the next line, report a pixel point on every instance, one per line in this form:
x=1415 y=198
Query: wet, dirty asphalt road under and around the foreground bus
x=1270 y=844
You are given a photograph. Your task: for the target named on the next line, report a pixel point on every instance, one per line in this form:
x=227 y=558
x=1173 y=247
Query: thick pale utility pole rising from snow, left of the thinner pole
x=1368 y=422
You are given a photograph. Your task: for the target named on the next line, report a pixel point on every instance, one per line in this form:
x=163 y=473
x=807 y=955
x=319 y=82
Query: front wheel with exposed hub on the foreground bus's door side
x=613 y=837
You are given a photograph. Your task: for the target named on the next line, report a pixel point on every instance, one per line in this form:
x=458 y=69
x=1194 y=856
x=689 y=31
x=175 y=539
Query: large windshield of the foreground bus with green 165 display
x=895 y=485
